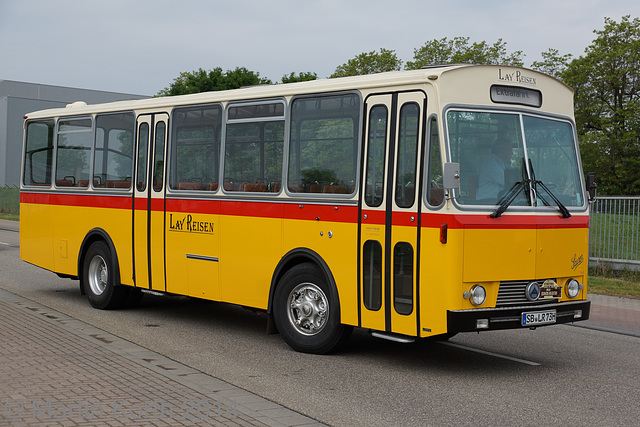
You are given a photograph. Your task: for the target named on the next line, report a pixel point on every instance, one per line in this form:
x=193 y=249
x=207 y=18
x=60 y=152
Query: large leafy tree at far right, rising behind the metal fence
x=607 y=100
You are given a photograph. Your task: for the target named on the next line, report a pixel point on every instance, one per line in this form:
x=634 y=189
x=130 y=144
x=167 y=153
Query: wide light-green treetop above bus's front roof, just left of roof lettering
x=459 y=50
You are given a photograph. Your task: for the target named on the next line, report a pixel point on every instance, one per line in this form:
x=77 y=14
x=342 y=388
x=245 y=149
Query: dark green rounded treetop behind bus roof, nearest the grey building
x=212 y=80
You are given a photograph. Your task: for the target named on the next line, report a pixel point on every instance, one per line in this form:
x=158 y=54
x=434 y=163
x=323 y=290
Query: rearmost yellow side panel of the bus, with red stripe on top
x=36 y=230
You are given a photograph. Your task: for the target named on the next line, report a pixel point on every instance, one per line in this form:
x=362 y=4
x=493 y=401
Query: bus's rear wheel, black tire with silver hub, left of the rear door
x=99 y=279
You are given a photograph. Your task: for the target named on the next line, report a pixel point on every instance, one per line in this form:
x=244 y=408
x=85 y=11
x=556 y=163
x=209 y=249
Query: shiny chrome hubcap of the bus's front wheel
x=308 y=308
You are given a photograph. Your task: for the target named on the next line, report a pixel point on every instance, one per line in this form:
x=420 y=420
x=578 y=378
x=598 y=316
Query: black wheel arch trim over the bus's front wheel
x=300 y=256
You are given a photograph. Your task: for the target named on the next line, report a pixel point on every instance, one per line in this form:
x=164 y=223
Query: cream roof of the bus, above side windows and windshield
x=464 y=88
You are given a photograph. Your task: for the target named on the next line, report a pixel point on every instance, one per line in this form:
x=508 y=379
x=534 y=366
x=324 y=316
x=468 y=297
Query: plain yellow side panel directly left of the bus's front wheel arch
x=250 y=249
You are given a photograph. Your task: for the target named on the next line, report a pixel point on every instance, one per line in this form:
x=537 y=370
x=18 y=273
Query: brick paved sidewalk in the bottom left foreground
x=58 y=371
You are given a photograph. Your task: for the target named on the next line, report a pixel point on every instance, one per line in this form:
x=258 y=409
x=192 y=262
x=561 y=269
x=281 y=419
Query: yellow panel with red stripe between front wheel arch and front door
x=335 y=242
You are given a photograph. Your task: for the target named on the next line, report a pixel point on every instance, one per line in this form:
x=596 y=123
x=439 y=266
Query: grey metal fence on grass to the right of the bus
x=614 y=232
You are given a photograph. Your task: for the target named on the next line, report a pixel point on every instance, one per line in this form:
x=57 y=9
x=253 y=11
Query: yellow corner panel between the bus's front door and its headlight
x=440 y=278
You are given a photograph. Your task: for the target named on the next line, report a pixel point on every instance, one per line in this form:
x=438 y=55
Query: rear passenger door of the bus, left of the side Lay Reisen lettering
x=148 y=212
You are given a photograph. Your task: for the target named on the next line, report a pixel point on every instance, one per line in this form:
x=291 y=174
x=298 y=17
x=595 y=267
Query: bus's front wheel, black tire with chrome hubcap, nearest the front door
x=307 y=312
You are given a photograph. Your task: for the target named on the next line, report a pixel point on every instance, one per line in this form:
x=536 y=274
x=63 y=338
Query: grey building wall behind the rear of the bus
x=20 y=98
